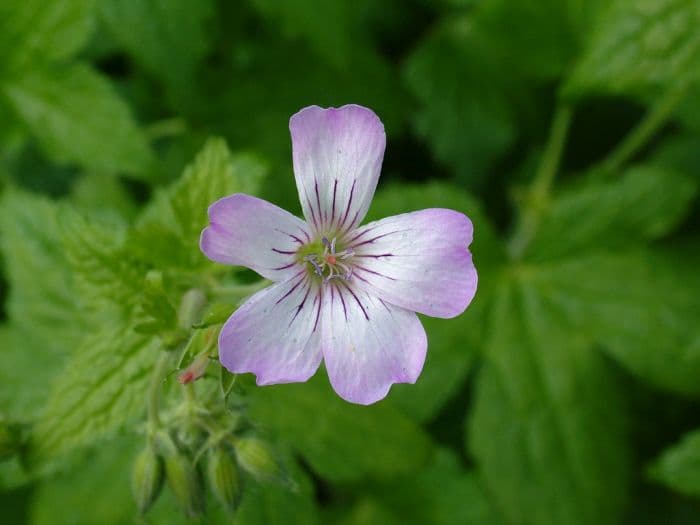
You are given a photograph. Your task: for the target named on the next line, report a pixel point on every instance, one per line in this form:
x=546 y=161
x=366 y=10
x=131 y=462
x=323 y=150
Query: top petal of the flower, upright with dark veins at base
x=337 y=155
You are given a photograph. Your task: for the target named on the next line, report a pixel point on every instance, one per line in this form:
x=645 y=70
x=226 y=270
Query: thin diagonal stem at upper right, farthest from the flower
x=656 y=117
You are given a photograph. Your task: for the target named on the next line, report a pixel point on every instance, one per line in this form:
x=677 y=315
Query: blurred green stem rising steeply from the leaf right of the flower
x=541 y=185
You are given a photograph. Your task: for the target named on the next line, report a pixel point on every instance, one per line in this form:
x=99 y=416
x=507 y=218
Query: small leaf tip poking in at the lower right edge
x=679 y=466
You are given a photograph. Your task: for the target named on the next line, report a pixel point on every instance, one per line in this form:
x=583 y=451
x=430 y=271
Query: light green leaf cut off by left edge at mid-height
x=40 y=301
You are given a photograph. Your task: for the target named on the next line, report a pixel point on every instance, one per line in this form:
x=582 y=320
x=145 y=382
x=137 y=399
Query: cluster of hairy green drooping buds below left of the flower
x=200 y=443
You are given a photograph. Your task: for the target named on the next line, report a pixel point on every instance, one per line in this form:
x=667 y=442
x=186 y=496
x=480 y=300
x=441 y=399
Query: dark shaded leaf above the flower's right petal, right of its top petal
x=467 y=123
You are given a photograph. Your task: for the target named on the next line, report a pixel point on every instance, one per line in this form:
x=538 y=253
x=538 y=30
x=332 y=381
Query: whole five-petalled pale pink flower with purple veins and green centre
x=341 y=292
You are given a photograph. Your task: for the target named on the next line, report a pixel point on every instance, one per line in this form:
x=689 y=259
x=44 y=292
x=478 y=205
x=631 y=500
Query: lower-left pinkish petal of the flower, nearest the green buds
x=275 y=334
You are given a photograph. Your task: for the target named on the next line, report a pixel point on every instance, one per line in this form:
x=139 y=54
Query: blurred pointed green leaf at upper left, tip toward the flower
x=77 y=118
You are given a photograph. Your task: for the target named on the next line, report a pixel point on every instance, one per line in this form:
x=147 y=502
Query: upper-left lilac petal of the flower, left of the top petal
x=247 y=231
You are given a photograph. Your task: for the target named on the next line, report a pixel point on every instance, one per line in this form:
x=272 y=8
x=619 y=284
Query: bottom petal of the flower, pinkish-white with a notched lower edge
x=368 y=345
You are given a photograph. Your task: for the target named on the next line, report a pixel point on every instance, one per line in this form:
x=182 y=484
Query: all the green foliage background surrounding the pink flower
x=566 y=130
